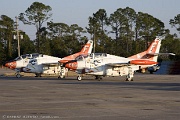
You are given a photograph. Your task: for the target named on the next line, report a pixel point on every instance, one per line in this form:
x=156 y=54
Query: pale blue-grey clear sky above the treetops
x=78 y=11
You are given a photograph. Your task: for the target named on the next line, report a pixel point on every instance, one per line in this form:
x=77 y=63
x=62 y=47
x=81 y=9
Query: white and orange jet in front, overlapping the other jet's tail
x=102 y=64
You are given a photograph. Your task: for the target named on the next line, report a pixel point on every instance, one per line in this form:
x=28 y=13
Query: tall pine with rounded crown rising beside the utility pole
x=36 y=15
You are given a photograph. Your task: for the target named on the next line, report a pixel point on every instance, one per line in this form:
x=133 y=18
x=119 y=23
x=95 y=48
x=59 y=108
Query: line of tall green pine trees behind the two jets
x=124 y=32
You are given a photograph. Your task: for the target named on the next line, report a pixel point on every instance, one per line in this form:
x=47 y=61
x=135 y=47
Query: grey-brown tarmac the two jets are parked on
x=148 y=97
